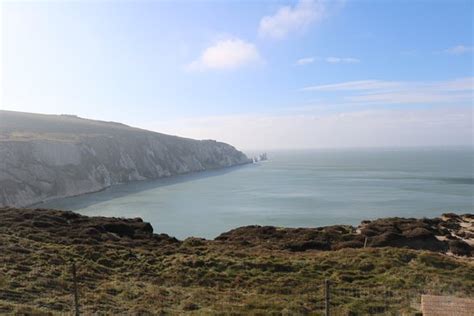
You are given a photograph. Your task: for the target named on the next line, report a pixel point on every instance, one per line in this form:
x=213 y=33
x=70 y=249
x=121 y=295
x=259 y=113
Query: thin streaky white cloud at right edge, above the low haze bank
x=396 y=92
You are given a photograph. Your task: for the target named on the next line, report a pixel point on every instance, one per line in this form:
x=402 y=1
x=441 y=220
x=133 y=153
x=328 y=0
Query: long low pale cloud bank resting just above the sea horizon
x=367 y=128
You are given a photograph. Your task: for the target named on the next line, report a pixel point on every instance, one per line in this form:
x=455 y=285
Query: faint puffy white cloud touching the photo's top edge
x=291 y=19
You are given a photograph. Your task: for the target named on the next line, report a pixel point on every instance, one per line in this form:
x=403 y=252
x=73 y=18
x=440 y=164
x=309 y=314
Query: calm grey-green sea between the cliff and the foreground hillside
x=295 y=189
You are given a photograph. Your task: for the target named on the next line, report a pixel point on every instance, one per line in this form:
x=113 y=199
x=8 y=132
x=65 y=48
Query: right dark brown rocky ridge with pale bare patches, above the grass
x=450 y=233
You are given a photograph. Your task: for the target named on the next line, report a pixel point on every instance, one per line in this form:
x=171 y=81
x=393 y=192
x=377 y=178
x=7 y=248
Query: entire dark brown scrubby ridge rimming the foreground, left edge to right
x=450 y=233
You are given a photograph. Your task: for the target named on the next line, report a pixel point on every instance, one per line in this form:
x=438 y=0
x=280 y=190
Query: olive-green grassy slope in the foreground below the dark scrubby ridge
x=199 y=276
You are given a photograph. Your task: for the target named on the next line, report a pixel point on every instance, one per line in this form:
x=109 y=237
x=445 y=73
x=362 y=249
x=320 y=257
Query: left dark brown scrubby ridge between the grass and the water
x=68 y=228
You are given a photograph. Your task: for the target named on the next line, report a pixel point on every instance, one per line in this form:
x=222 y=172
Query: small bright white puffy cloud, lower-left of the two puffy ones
x=226 y=55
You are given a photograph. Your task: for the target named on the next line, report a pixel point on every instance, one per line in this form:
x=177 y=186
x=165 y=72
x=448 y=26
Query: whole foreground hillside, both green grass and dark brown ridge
x=124 y=268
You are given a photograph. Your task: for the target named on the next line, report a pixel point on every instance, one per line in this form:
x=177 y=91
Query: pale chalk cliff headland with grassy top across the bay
x=49 y=156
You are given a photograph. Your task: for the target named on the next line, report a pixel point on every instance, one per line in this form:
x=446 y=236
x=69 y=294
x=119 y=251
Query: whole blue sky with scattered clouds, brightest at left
x=256 y=74
